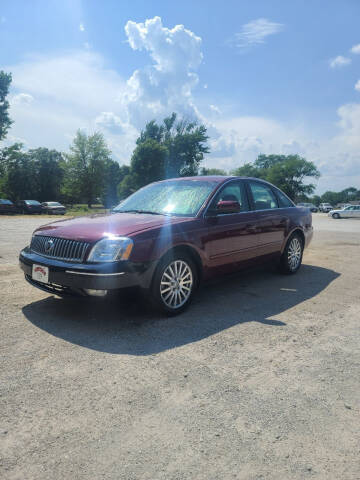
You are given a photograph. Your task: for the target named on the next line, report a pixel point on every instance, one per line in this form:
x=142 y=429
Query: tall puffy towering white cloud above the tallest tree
x=168 y=84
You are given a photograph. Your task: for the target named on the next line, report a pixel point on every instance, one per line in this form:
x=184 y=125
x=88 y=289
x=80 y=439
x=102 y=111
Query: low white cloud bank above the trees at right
x=235 y=141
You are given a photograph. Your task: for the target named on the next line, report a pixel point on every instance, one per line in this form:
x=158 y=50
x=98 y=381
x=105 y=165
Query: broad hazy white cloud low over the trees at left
x=72 y=91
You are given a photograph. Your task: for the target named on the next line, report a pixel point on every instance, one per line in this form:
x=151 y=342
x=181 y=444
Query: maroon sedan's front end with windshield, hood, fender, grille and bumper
x=101 y=253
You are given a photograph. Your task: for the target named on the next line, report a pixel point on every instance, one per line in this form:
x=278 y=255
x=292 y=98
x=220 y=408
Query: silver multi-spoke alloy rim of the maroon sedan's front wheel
x=176 y=284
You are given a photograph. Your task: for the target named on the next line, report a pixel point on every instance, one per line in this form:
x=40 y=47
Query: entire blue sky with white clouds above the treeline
x=265 y=77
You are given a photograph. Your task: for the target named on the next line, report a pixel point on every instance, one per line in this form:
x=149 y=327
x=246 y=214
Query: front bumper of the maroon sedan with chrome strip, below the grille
x=68 y=277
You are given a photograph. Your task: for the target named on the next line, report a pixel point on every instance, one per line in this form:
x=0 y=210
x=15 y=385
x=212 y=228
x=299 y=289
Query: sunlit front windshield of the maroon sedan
x=172 y=197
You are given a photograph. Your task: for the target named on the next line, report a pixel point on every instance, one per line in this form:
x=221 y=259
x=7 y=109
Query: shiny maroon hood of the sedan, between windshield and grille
x=94 y=227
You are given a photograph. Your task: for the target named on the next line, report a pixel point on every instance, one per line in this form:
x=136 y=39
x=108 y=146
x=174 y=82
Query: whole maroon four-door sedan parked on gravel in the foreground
x=167 y=237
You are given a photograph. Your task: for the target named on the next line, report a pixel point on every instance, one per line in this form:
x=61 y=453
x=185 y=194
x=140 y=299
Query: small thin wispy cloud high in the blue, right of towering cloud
x=255 y=32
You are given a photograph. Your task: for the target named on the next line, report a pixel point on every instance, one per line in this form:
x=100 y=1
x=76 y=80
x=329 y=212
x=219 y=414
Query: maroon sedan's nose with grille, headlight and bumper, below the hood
x=72 y=267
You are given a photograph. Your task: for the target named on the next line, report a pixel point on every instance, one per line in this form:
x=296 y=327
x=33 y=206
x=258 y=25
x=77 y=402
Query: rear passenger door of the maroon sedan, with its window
x=272 y=220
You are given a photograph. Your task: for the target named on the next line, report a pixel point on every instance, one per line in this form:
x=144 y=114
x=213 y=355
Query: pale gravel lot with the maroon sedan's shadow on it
x=260 y=379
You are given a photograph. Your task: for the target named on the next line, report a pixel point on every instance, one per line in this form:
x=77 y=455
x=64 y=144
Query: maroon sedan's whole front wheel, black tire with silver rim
x=167 y=294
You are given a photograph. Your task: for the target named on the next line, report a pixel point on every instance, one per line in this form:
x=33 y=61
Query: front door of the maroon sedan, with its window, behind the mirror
x=232 y=237
